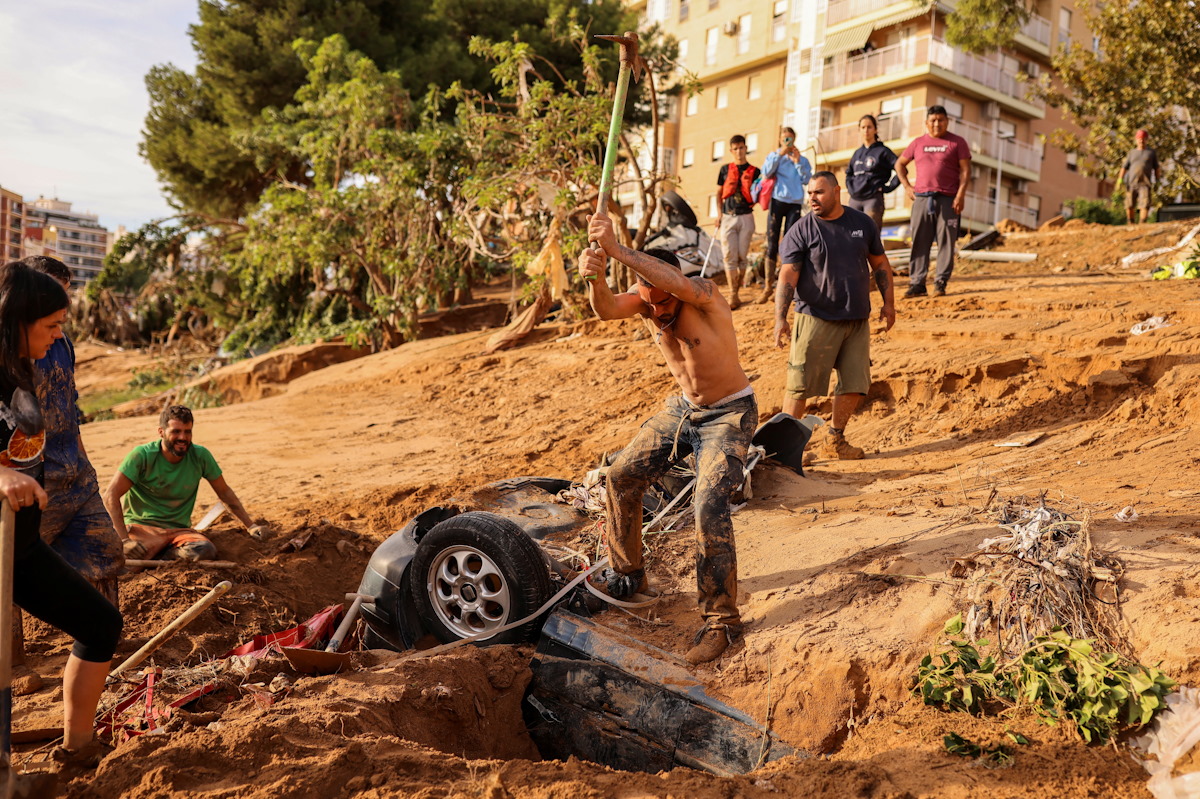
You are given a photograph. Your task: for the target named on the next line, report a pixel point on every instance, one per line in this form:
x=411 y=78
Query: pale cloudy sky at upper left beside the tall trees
x=74 y=99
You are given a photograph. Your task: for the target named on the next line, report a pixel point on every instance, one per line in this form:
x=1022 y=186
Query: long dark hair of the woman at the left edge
x=26 y=297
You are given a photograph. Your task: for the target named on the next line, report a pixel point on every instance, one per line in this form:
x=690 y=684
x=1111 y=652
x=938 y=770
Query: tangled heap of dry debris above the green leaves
x=1042 y=574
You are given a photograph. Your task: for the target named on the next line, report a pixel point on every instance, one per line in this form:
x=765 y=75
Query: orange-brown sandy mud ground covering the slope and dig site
x=844 y=578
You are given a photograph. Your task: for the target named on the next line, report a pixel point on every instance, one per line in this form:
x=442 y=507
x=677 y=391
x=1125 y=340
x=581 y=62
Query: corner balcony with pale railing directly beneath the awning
x=922 y=56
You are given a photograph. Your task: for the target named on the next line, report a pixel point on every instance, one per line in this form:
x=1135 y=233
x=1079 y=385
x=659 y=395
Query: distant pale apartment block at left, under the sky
x=76 y=239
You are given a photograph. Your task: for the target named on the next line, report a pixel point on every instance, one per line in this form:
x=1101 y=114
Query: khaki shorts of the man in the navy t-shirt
x=819 y=347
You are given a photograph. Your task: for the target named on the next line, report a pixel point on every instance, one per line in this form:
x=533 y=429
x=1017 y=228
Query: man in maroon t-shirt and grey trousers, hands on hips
x=944 y=171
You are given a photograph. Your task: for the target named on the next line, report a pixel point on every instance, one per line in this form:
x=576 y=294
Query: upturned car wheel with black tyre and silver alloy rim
x=476 y=573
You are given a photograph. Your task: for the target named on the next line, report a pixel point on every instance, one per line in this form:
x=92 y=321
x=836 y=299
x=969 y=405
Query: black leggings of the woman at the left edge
x=46 y=587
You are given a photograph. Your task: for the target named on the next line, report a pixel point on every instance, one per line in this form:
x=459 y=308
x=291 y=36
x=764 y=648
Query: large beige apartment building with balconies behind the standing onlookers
x=820 y=65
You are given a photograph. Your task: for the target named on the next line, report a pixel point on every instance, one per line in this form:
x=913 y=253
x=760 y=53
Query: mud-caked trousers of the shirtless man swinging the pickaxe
x=719 y=438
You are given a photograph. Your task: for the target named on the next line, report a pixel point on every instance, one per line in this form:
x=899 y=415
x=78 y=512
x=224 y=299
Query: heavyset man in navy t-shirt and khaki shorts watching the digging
x=830 y=260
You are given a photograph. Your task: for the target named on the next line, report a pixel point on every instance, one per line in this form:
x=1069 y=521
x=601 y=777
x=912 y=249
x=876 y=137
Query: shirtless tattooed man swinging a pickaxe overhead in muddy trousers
x=715 y=417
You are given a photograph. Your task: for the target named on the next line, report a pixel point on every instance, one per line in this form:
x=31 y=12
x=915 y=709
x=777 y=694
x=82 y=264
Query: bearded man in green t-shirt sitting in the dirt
x=153 y=494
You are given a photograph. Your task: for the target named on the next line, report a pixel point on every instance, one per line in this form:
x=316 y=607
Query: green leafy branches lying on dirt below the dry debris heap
x=1060 y=678
